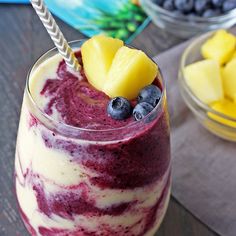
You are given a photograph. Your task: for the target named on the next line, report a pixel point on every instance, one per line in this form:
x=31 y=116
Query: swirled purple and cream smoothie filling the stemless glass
x=80 y=172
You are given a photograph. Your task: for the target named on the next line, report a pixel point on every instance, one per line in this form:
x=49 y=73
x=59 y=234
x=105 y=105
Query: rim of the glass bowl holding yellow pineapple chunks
x=201 y=104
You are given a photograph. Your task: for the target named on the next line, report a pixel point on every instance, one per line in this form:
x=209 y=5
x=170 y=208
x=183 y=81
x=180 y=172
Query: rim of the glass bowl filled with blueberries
x=198 y=19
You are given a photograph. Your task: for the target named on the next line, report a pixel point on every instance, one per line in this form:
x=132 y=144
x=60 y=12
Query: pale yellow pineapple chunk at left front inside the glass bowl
x=204 y=80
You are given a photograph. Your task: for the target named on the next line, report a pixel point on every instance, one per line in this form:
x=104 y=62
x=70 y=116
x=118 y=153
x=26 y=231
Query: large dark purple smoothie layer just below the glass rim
x=130 y=163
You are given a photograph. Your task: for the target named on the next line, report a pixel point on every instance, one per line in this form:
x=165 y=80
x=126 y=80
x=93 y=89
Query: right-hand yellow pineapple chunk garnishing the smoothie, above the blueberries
x=131 y=70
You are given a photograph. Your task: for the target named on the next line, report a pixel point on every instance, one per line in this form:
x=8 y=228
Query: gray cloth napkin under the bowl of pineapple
x=204 y=166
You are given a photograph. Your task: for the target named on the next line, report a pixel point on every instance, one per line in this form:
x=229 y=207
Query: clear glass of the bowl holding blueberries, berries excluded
x=184 y=26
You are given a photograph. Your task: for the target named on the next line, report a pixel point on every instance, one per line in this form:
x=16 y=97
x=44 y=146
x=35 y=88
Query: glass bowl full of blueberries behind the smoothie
x=186 y=18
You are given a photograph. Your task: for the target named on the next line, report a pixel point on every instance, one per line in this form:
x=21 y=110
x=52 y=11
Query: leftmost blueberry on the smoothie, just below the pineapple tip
x=119 y=108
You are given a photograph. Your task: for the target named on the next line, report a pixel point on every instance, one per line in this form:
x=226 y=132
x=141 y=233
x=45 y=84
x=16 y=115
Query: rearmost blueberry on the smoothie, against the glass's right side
x=150 y=94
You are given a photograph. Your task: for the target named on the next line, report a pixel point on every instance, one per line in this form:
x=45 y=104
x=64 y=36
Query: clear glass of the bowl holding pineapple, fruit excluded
x=201 y=110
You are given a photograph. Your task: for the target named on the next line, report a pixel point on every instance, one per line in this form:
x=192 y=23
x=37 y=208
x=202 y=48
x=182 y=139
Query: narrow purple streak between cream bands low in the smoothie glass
x=75 y=203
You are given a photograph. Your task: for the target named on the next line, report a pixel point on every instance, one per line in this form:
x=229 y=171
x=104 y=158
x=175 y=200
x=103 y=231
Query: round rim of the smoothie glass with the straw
x=79 y=129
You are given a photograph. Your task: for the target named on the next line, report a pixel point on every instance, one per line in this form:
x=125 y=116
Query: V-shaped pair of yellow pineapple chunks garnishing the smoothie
x=115 y=69
